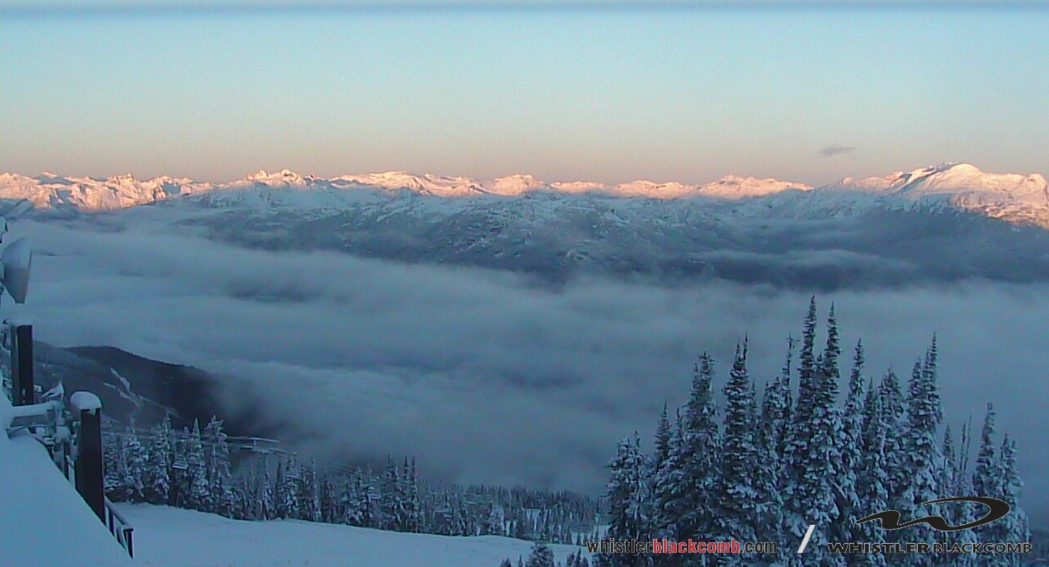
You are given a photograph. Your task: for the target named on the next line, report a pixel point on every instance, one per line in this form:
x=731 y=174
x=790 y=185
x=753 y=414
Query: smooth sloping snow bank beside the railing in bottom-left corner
x=44 y=521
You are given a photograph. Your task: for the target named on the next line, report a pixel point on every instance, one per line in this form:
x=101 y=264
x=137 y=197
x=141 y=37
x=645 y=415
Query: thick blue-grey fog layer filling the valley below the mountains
x=487 y=378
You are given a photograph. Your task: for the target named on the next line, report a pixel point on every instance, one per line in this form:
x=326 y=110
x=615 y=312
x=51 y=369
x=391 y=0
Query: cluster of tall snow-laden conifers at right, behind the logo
x=763 y=469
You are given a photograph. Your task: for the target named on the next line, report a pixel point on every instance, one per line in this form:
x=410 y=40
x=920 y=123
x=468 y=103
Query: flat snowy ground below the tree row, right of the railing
x=168 y=537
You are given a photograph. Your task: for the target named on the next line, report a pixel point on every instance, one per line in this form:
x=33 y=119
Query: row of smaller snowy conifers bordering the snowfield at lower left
x=194 y=469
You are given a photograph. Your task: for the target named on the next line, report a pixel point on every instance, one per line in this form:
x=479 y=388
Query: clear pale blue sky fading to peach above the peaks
x=609 y=95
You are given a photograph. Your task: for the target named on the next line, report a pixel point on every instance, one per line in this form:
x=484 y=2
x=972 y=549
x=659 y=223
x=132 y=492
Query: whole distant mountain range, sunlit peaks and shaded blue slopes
x=946 y=223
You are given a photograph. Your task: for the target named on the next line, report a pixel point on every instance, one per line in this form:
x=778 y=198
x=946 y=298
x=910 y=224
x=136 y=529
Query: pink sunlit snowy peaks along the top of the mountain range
x=1012 y=198
